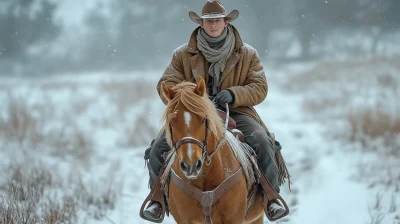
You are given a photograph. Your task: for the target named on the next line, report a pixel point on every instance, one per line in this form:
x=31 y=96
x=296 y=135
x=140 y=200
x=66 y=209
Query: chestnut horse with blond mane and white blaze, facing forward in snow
x=205 y=158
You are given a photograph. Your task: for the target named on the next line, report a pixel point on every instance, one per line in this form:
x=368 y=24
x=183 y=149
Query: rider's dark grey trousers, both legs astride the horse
x=254 y=135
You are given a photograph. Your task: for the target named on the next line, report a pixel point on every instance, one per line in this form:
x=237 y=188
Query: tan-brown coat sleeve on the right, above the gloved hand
x=255 y=89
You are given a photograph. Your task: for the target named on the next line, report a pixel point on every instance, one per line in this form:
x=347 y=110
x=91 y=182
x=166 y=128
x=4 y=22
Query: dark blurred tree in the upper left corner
x=24 y=24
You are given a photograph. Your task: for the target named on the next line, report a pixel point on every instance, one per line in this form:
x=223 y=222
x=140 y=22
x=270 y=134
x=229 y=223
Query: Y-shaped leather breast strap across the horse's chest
x=207 y=198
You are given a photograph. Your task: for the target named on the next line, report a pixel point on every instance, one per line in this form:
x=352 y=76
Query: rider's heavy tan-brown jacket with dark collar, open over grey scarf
x=243 y=74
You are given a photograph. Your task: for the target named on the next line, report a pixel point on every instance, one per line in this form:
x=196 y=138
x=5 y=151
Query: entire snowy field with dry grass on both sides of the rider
x=72 y=146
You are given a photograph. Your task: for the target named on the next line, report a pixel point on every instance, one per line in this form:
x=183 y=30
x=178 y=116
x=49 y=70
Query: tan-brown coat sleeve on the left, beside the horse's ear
x=173 y=74
